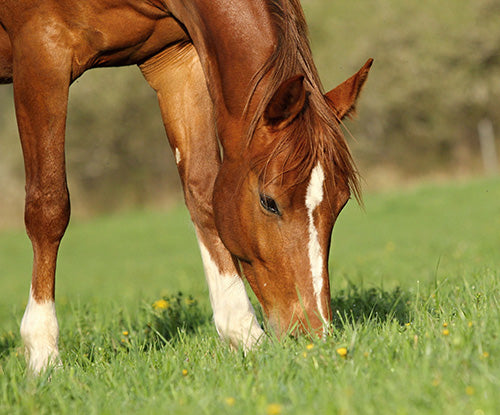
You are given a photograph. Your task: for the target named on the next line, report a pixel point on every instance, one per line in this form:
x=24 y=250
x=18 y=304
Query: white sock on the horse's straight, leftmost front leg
x=40 y=333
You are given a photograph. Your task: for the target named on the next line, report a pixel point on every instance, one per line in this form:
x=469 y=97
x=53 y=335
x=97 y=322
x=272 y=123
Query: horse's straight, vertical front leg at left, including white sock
x=41 y=81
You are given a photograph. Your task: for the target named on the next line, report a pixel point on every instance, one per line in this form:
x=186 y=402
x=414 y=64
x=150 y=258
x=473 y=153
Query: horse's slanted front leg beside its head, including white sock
x=187 y=112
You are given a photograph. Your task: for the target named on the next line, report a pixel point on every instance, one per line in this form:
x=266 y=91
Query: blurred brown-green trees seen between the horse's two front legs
x=116 y=143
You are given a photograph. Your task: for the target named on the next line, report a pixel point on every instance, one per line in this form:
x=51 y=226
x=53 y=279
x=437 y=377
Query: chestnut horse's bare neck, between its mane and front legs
x=234 y=39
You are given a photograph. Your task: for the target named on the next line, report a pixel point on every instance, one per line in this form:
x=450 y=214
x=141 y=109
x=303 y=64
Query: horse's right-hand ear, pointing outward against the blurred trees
x=343 y=98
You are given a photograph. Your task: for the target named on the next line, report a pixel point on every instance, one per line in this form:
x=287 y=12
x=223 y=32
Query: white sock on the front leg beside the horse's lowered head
x=234 y=315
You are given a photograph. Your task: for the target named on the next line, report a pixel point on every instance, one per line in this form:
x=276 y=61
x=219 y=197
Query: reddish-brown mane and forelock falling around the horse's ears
x=315 y=135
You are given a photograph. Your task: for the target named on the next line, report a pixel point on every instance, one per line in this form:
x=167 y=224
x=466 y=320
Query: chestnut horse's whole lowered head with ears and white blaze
x=276 y=203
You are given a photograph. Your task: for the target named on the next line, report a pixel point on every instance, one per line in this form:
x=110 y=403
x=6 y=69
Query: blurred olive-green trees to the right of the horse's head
x=436 y=74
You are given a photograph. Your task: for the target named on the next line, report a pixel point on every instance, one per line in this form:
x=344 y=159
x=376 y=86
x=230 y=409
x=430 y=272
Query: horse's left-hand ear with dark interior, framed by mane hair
x=286 y=103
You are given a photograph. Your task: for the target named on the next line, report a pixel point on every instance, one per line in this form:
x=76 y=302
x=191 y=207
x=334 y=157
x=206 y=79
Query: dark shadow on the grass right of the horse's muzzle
x=359 y=305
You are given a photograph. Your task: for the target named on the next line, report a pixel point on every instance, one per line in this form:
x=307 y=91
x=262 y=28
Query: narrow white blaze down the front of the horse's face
x=314 y=197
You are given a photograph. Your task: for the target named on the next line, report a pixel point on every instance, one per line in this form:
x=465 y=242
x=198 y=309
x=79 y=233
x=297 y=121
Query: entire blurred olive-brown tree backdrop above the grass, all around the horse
x=436 y=76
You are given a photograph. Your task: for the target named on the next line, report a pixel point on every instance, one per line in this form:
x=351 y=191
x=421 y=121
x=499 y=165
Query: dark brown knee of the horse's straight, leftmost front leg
x=46 y=213
